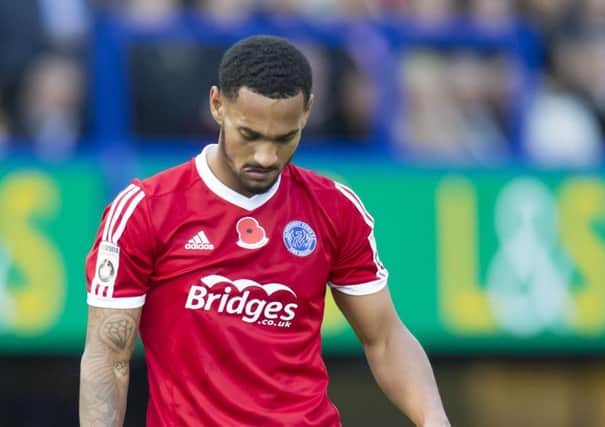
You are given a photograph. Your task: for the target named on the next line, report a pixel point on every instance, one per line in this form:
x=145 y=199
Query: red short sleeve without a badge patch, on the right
x=358 y=269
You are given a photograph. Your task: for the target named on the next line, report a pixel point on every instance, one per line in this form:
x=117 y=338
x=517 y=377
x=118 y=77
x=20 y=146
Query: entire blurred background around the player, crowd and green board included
x=474 y=131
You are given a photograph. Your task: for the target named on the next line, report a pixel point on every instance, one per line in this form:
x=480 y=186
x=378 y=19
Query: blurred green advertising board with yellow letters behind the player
x=491 y=261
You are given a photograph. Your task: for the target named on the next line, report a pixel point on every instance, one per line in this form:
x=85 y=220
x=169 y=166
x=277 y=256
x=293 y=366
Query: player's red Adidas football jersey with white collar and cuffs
x=233 y=290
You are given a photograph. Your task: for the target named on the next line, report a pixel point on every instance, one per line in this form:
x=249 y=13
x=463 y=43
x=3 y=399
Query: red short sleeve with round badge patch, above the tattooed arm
x=120 y=262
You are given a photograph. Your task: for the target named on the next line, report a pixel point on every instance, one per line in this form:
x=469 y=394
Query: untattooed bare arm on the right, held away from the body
x=398 y=362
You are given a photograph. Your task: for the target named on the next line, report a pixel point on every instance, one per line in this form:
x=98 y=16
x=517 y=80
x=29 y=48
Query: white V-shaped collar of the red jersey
x=226 y=193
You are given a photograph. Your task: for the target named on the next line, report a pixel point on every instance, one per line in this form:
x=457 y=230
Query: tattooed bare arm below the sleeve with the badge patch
x=104 y=370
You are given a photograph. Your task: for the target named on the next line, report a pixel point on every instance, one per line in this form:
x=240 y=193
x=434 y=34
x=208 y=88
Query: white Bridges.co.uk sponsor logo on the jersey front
x=235 y=298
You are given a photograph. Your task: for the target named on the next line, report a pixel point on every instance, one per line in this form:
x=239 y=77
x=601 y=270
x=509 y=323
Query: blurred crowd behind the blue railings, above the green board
x=461 y=105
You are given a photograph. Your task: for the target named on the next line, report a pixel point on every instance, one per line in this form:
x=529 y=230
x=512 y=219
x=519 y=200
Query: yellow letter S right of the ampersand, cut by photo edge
x=582 y=204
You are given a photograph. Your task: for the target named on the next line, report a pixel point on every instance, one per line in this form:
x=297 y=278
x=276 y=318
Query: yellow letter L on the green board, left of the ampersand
x=462 y=302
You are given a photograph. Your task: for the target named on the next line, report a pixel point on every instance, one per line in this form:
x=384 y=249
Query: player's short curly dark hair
x=268 y=65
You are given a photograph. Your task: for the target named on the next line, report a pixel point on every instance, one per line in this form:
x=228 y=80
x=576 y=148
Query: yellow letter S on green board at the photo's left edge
x=38 y=299
